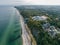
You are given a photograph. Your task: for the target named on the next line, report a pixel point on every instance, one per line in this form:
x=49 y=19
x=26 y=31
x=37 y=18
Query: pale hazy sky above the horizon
x=29 y=2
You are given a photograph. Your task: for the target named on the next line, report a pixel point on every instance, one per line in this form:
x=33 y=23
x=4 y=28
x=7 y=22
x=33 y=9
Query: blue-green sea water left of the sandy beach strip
x=10 y=30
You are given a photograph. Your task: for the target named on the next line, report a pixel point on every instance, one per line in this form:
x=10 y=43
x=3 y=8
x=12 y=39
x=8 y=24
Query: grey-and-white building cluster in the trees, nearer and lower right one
x=52 y=31
